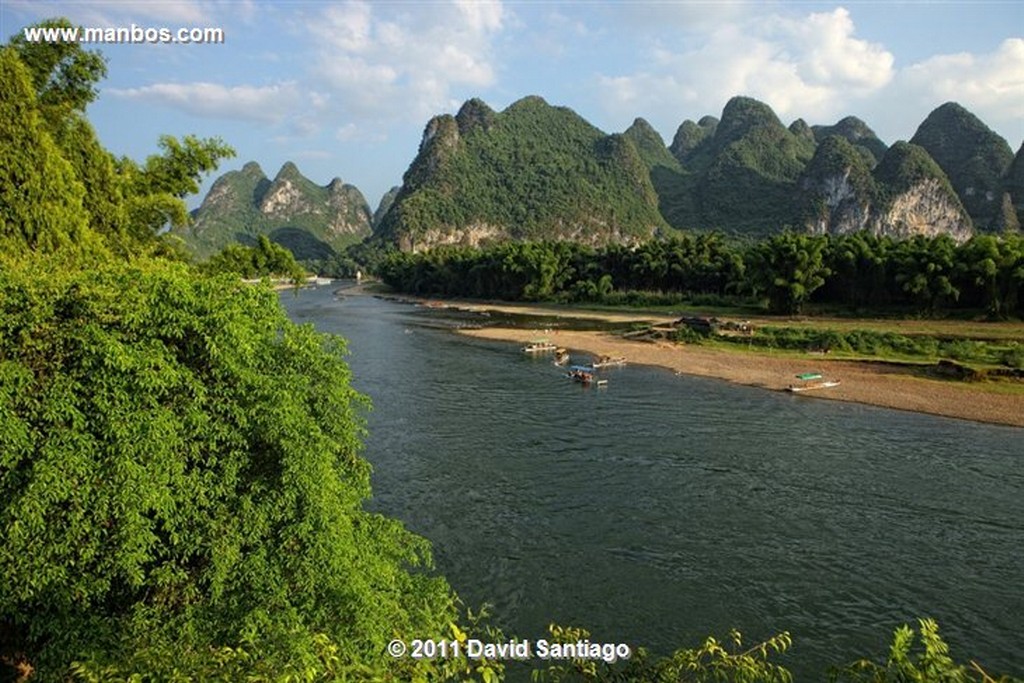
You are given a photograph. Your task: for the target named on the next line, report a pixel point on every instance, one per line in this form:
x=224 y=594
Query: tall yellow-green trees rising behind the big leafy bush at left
x=62 y=190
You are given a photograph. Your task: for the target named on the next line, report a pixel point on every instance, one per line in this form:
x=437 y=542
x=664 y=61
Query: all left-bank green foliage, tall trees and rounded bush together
x=181 y=482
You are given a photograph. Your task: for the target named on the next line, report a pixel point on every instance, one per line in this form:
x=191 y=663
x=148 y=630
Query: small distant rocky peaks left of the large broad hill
x=312 y=221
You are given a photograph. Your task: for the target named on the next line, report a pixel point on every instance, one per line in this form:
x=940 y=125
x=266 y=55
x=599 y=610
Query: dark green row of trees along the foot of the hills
x=785 y=273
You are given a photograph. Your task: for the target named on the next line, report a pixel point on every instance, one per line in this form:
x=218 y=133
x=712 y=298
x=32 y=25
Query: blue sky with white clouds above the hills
x=345 y=90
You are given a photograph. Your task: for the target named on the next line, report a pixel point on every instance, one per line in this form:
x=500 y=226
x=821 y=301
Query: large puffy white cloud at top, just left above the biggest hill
x=404 y=64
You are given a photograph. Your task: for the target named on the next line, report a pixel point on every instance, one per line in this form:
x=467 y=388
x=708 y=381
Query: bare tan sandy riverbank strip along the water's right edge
x=882 y=385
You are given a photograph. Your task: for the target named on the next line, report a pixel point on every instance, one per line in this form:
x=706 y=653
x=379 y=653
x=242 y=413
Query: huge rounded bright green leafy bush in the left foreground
x=181 y=472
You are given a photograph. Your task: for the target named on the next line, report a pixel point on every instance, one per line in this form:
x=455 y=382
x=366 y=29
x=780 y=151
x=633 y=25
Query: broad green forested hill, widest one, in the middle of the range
x=531 y=172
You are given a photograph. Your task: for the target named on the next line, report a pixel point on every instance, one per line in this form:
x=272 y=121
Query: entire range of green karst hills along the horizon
x=535 y=172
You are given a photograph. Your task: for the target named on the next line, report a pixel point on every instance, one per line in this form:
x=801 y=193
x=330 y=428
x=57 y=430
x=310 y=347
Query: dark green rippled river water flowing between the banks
x=662 y=509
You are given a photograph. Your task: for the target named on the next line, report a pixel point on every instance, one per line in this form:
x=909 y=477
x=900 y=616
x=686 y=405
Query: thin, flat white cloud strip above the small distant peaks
x=264 y=105
